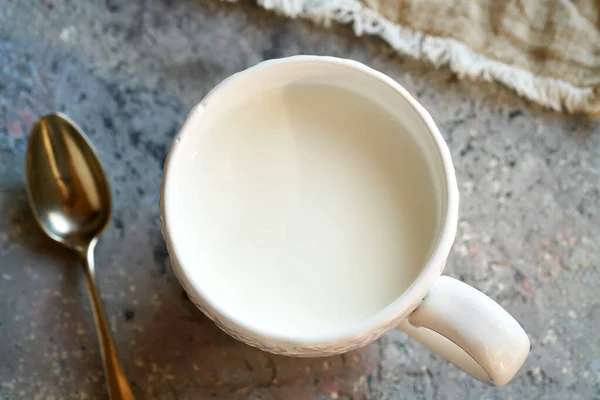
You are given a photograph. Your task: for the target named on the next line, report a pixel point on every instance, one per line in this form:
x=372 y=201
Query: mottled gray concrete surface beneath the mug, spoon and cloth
x=128 y=72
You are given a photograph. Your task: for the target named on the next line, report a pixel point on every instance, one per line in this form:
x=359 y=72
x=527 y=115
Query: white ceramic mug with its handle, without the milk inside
x=451 y=318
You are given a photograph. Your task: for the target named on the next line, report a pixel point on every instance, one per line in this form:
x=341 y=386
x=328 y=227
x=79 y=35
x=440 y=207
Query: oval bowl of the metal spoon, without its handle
x=67 y=187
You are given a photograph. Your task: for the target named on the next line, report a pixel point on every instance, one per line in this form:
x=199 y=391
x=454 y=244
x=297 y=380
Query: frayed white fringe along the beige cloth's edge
x=549 y=92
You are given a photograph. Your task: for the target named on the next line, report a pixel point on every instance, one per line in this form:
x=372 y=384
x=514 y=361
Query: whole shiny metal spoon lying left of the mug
x=70 y=198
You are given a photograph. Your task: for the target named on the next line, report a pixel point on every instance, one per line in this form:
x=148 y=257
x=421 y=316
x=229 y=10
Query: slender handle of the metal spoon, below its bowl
x=116 y=382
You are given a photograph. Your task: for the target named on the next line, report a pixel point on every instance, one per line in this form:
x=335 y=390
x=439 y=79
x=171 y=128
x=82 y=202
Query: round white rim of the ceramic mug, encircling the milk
x=385 y=318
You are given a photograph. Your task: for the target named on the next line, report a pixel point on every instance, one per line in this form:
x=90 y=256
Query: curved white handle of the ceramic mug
x=470 y=330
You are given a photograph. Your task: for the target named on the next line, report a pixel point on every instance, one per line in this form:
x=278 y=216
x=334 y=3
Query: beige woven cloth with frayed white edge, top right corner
x=546 y=50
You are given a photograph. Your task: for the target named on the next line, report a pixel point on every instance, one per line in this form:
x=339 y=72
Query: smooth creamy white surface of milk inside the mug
x=304 y=210
